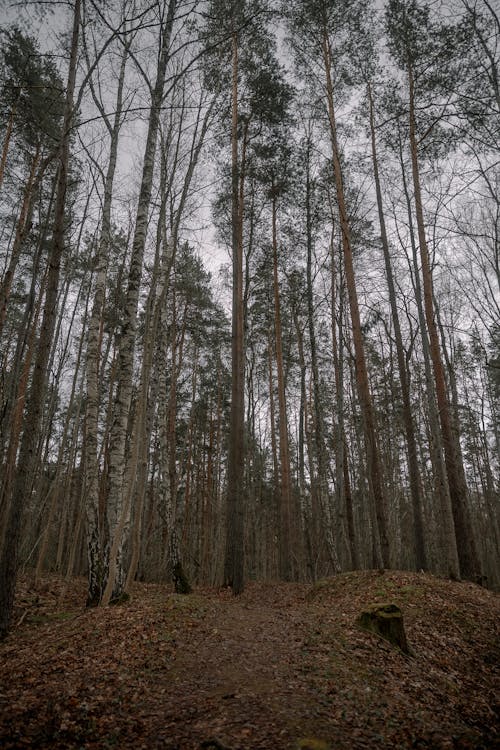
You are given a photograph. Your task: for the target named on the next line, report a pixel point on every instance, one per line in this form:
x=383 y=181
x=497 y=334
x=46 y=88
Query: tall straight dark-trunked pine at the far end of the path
x=241 y=25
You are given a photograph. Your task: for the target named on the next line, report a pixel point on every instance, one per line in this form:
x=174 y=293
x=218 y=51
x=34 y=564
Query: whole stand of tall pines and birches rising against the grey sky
x=249 y=292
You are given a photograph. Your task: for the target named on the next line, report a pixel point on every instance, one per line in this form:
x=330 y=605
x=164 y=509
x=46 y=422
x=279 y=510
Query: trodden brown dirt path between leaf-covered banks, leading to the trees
x=247 y=689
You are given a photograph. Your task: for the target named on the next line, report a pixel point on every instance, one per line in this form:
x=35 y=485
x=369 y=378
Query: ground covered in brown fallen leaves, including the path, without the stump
x=283 y=666
